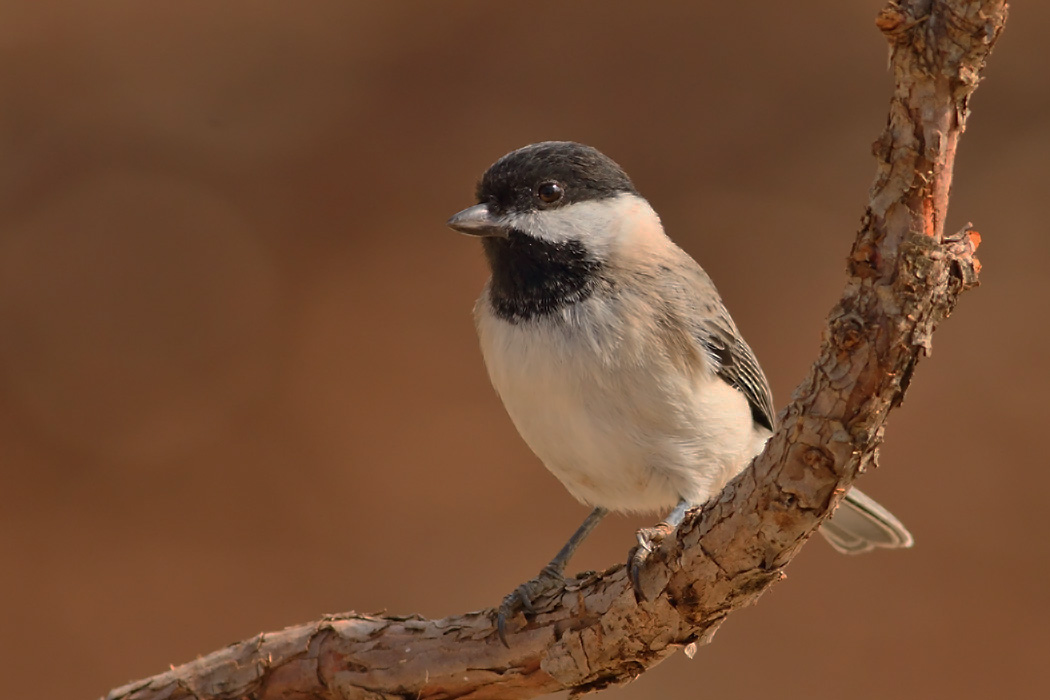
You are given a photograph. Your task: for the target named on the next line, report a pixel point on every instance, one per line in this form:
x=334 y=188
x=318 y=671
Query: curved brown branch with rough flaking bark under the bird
x=905 y=278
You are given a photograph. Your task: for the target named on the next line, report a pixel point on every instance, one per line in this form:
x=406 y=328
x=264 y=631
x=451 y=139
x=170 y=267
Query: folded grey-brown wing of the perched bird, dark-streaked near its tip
x=692 y=294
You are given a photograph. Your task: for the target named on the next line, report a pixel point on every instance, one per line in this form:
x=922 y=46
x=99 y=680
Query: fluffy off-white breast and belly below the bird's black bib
x=620 y=426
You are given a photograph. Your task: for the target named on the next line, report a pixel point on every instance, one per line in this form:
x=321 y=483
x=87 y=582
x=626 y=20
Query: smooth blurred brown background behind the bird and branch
x=240 y=386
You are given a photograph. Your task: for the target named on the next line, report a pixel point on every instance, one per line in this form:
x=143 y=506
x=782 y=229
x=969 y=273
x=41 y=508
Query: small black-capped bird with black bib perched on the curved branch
x=615 y=355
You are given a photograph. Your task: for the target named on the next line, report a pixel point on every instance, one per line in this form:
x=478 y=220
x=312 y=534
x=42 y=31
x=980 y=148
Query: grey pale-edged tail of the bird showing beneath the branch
x=862 y=525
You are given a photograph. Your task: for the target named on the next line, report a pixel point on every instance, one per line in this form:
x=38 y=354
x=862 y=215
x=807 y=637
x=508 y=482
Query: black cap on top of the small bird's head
x=583 y=174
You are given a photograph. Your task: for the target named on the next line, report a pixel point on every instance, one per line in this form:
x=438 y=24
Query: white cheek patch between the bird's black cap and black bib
x=600 y=225
